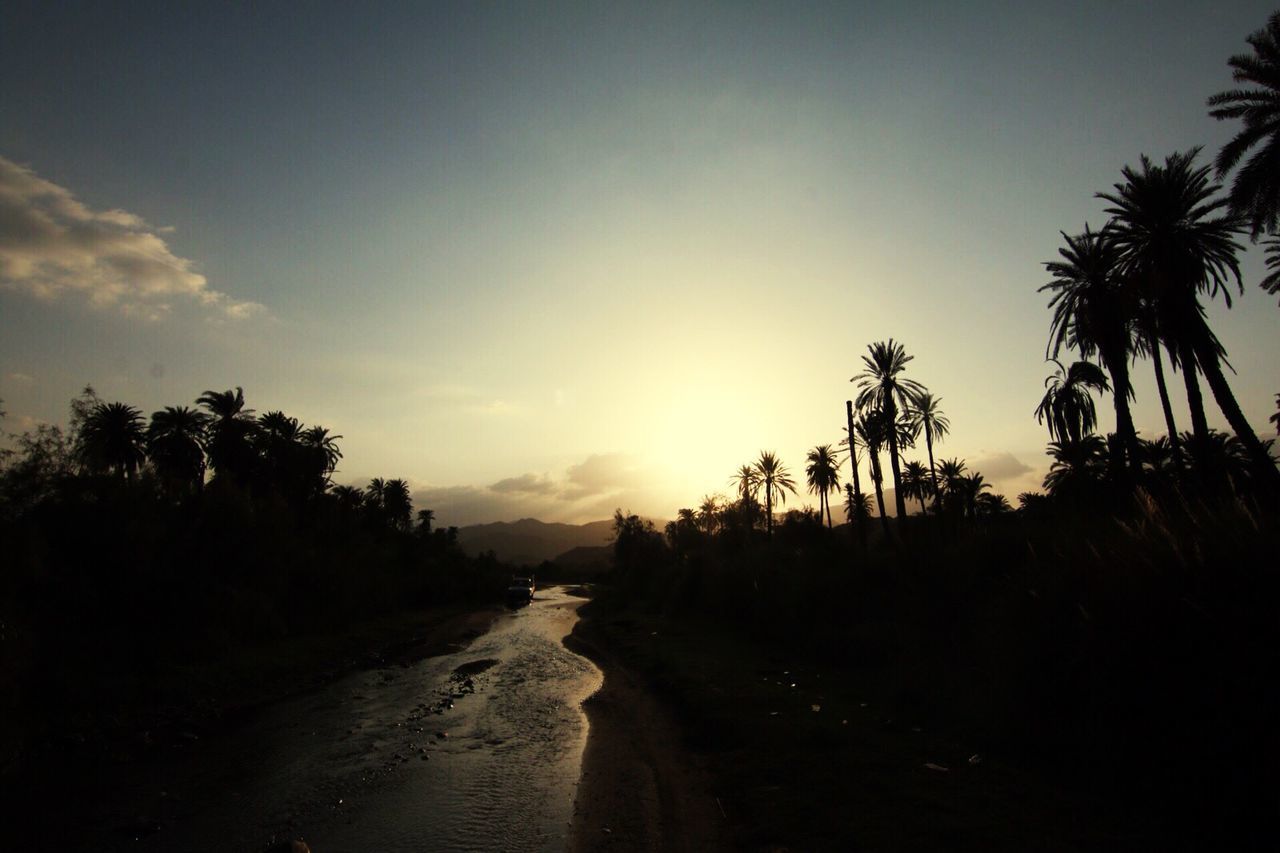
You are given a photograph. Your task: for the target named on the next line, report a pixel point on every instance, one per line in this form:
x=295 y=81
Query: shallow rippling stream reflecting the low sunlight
x=476 y=750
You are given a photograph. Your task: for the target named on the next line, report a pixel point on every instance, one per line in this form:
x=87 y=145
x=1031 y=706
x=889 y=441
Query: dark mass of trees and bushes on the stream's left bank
x=149 y=565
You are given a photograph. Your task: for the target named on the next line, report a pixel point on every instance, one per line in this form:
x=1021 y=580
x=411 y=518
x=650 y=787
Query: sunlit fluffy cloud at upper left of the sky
x=54 y=247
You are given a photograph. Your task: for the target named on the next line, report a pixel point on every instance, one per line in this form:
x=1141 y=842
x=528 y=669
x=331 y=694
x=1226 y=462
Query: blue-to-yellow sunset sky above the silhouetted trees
x=555 y=259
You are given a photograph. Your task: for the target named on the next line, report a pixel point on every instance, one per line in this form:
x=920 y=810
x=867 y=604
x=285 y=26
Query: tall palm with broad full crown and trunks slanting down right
x=1174 y=240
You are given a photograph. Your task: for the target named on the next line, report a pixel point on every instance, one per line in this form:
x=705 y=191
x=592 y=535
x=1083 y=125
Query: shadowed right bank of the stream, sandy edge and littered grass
x=798 y=756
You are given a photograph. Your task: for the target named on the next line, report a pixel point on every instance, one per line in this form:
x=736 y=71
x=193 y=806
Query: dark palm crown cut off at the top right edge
x=1256 y=190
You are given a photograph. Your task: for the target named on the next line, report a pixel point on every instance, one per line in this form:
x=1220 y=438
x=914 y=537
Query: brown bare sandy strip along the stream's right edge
x=641 y=788
